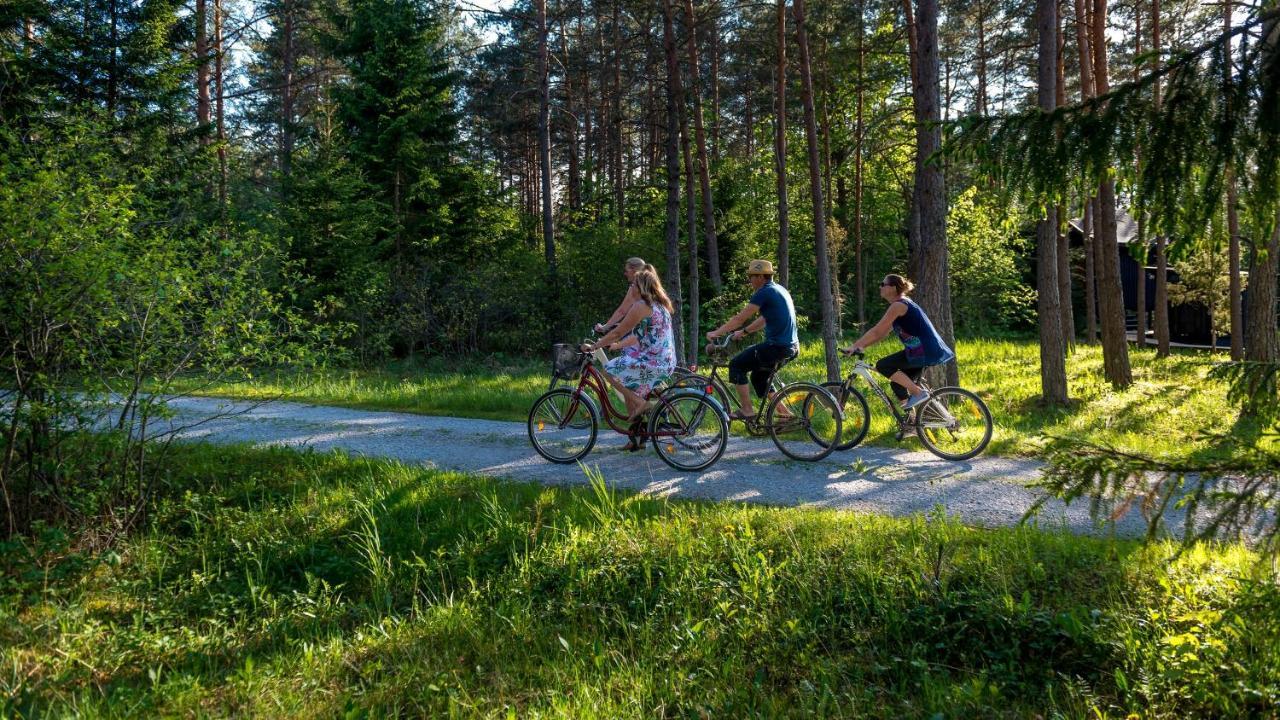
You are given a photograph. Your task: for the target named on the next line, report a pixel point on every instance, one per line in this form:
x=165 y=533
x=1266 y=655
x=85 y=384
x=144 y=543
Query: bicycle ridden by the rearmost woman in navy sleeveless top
x=954 y=423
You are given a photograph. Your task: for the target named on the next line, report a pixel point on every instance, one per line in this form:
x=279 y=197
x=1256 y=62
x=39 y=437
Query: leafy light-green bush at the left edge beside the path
x=100 y=300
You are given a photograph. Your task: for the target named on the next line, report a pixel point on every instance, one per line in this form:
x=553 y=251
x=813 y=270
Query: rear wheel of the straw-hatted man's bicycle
x=804 y=422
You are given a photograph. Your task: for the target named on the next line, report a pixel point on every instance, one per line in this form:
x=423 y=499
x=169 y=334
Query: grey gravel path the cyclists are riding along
x=892 y=481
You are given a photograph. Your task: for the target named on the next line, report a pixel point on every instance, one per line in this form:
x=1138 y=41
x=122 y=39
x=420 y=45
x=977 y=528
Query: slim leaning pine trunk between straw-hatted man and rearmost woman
x=820 y=222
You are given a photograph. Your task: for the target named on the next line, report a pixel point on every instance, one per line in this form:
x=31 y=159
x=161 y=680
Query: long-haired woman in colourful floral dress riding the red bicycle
x=650 y=356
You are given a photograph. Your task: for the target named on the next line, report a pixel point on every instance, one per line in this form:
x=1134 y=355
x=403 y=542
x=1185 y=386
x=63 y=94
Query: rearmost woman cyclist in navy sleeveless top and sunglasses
x=922 y=344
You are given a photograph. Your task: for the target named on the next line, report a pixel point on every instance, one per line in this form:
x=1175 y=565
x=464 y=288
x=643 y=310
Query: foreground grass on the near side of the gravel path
x=273 y=584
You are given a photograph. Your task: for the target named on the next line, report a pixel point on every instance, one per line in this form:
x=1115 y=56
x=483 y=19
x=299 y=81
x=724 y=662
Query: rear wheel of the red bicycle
x=689 y=432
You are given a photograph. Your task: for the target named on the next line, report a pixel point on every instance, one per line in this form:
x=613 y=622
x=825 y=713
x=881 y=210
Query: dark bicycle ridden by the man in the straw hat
x=803 y=420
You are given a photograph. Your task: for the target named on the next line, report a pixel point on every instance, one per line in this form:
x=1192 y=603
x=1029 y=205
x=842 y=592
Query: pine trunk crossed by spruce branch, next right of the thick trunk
x=1049 y=309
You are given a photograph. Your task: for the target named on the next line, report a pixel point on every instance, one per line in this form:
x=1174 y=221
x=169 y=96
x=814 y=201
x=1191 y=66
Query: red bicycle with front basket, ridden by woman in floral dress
x=689 y=431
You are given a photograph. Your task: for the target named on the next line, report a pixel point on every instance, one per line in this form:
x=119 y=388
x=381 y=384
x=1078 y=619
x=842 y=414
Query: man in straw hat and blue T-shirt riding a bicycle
x=781 y=343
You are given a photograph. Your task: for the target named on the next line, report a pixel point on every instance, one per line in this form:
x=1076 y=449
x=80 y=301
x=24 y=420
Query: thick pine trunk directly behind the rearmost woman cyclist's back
x=930 y=200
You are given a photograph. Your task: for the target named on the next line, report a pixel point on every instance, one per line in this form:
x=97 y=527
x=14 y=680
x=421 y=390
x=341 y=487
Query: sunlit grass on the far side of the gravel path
x=1167 y=412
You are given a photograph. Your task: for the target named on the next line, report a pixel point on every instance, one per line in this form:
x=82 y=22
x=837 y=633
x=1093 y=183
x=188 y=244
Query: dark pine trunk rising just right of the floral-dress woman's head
x=675 y=101
